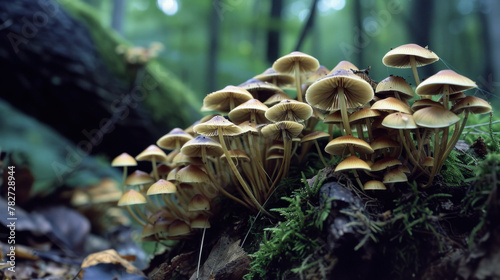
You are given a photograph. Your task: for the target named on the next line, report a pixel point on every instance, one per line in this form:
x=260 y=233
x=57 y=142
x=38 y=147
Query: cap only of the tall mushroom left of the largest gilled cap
x=286 y=64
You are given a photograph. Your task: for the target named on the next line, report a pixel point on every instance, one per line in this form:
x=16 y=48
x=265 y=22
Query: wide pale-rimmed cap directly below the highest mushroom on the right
x=435 y=84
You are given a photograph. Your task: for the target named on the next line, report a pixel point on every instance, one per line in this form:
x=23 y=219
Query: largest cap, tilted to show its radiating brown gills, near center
x=323 y=94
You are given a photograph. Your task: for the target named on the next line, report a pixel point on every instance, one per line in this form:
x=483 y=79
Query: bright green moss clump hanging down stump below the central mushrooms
x=294 y=239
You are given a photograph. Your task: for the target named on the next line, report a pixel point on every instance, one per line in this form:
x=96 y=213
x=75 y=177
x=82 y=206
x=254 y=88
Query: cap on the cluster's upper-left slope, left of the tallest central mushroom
x=220 y=100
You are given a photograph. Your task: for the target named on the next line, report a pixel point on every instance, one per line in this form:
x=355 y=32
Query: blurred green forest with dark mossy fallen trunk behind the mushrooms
x=65 y=98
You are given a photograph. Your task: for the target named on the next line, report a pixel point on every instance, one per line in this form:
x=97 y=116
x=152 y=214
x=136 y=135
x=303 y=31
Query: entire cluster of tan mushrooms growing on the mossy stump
x=245 y=149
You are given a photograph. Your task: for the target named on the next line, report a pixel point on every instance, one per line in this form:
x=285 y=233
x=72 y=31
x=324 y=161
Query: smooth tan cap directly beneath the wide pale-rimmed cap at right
x=435 y=117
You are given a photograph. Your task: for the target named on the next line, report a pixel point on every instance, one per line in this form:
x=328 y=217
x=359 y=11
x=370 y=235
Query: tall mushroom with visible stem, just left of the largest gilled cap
x=298 y=63
